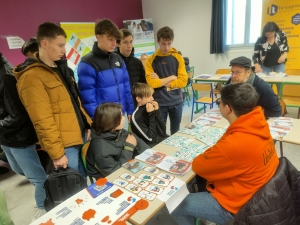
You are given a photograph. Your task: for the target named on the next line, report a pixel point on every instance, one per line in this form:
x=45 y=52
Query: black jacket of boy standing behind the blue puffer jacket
x=134 y=67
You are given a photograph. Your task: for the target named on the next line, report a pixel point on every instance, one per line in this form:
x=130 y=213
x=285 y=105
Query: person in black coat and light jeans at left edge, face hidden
x=18 y=136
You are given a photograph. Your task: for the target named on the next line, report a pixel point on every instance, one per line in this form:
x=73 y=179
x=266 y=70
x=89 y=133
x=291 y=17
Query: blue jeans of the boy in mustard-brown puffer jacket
x=74 y=159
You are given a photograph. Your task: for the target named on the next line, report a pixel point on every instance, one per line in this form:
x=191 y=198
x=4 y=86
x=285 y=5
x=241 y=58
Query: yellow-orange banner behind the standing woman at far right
x=286 y=14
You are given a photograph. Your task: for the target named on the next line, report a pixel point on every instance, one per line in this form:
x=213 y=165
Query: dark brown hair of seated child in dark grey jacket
x=107 y=117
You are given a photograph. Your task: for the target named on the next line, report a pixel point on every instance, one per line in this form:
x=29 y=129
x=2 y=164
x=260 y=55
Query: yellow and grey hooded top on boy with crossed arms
x=165 y=65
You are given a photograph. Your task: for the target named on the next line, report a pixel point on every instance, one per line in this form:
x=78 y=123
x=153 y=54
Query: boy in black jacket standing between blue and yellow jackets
x=134 y=65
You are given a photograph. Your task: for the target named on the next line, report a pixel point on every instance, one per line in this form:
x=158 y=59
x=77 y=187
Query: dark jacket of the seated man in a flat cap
x=268 y=100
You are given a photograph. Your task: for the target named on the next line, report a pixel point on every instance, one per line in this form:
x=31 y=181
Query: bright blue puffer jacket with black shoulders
x=103 y=78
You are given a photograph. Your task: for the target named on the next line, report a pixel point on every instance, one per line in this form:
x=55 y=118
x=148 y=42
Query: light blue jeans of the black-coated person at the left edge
x=26 y=162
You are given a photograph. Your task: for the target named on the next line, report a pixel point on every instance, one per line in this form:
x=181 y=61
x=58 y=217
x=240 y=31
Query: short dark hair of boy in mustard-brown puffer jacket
x=49 y=30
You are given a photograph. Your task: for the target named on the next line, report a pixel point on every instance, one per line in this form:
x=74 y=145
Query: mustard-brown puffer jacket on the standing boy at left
x=49 y=105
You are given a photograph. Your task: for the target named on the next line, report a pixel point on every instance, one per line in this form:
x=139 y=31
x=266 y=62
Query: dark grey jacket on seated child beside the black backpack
x=108 y=151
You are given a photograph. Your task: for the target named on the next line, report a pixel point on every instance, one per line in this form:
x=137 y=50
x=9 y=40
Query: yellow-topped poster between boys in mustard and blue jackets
x=80 y=40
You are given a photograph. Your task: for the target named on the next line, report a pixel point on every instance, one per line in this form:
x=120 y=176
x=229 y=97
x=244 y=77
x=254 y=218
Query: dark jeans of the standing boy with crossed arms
x=175 y=114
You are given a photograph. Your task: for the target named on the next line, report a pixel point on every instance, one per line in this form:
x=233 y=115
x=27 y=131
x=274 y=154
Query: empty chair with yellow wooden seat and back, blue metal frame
x=209 y=100
